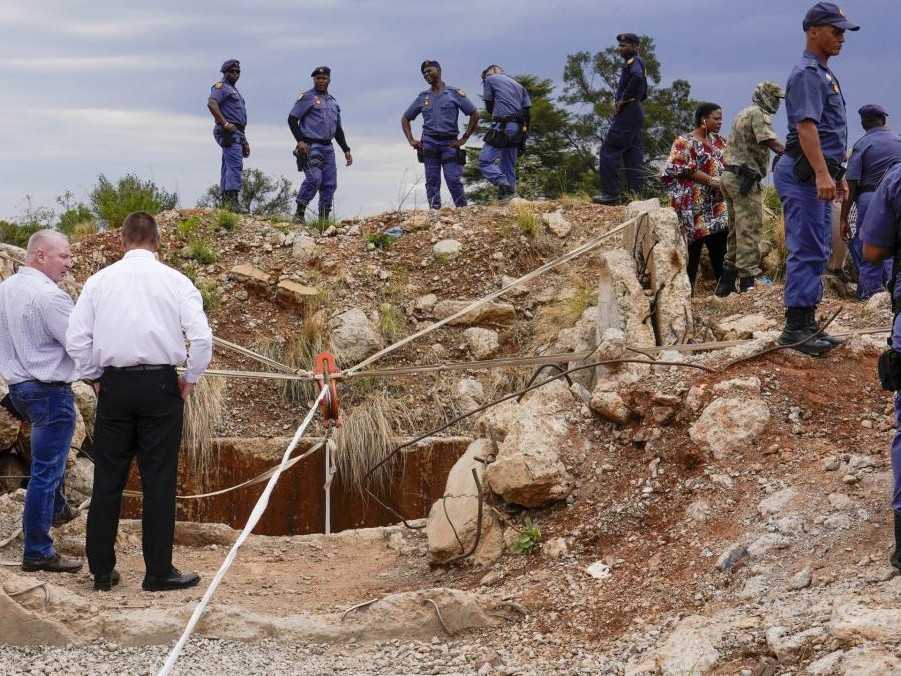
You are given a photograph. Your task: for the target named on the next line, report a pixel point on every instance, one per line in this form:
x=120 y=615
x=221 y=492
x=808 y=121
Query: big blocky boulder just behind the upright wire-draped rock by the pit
x=528 y=470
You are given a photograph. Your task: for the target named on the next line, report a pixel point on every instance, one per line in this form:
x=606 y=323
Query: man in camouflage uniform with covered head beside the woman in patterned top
x=746 y=160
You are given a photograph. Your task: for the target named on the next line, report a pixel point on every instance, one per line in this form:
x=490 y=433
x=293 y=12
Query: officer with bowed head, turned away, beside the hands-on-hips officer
x=510 y=107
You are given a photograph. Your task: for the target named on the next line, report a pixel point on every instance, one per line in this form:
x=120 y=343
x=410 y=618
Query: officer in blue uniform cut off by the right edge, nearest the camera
x=880 y=232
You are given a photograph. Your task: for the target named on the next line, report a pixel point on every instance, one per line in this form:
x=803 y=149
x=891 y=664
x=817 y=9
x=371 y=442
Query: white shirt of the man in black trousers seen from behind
x=139 y=311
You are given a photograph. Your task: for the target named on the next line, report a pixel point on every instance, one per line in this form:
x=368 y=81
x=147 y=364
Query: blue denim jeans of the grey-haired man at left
x=50 y=408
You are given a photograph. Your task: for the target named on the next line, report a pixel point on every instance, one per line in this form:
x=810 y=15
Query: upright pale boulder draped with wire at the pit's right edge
x=453 y=521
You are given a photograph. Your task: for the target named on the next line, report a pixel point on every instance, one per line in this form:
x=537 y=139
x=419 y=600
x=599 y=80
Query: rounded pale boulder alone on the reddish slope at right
x=730 y=424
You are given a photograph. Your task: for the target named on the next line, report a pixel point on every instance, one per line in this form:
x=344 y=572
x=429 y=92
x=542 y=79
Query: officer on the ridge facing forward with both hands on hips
x=440 y=145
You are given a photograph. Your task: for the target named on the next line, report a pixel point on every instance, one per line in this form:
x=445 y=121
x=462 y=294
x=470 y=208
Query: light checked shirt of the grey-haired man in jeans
x=34 y=313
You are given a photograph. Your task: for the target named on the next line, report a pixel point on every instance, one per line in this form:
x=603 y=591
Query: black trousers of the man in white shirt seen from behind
x=139 y=413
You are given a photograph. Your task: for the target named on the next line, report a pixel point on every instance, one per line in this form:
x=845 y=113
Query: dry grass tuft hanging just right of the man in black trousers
x=203 y=414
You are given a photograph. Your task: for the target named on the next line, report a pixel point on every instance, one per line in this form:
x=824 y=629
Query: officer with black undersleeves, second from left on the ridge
x=314 y=121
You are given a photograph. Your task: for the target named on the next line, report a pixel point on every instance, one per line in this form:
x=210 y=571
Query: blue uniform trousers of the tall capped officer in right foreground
x=808 y=236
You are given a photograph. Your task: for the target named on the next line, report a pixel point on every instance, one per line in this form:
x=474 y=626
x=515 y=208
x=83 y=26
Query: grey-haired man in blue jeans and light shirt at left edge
x=34 y=316
